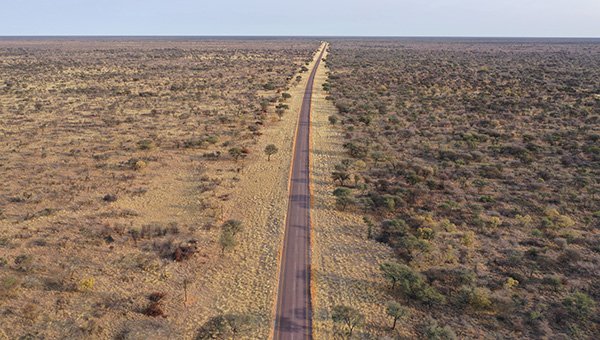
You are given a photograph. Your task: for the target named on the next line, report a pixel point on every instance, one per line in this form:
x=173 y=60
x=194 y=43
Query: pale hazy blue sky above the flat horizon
x=498 y=18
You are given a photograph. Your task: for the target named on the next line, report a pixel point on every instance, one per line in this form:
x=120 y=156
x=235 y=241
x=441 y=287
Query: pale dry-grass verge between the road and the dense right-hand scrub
x=345 y=263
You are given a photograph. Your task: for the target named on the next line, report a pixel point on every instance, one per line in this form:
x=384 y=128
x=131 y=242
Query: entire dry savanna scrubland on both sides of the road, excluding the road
x=455 y=187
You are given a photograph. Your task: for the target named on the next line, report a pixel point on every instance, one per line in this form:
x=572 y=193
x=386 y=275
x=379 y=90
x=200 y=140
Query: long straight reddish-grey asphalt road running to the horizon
x=293 y=315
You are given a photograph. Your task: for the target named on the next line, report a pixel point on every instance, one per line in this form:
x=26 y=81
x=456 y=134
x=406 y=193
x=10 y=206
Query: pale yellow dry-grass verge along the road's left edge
x=246 y=281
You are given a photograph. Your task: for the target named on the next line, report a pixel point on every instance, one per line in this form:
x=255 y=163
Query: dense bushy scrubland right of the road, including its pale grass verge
x=465 y=175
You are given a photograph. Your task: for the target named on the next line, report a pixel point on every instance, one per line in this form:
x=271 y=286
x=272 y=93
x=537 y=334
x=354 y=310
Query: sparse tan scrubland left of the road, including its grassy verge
x=127 y=166
